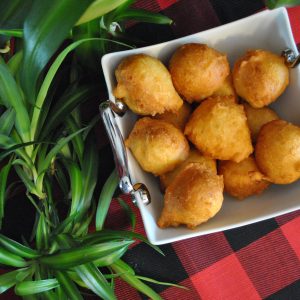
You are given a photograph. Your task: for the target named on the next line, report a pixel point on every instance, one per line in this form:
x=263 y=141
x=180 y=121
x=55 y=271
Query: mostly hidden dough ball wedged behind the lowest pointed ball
x=208 y=164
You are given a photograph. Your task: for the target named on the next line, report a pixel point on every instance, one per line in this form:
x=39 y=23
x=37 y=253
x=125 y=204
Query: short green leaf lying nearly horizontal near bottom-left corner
x=35 y=287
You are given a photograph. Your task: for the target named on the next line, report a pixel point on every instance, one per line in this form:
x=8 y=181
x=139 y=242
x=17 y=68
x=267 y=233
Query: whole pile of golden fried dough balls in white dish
x=199 y=137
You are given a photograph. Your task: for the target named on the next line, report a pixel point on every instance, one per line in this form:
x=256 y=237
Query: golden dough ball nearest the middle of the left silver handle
x=157 y=145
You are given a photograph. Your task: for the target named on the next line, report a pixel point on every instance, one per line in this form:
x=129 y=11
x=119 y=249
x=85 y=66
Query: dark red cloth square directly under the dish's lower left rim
x=198 y=253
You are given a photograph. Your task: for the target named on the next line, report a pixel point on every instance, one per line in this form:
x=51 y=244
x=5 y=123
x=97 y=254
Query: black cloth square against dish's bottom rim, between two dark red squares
x=243 y=236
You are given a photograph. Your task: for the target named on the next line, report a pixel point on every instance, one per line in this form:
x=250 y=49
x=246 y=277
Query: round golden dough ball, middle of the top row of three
x=197 y=71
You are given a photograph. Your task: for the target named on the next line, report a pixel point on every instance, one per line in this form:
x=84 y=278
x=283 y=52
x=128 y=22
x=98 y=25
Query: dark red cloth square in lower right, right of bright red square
x=270 y=263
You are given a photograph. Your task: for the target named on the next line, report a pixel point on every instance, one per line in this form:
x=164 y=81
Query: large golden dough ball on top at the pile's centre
x=218 y=128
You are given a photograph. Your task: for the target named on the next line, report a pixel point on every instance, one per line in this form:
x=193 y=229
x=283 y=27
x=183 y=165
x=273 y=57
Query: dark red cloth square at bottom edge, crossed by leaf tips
x=172 y=292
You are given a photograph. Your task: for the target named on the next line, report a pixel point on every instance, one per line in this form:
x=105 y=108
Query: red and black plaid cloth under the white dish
x=259 y=261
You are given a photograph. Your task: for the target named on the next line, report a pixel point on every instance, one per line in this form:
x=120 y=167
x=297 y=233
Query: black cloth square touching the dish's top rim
x=229 y=11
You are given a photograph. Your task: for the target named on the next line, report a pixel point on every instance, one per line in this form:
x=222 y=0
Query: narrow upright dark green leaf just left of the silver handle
x=89 y=171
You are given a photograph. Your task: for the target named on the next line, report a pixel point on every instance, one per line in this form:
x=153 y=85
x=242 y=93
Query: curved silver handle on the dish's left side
x=139 y=190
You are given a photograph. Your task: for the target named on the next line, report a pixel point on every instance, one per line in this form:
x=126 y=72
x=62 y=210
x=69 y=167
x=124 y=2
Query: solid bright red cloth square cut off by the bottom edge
x=226 y=280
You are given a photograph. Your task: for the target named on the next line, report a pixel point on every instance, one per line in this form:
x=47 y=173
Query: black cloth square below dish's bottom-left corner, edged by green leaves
x=149 y=263
